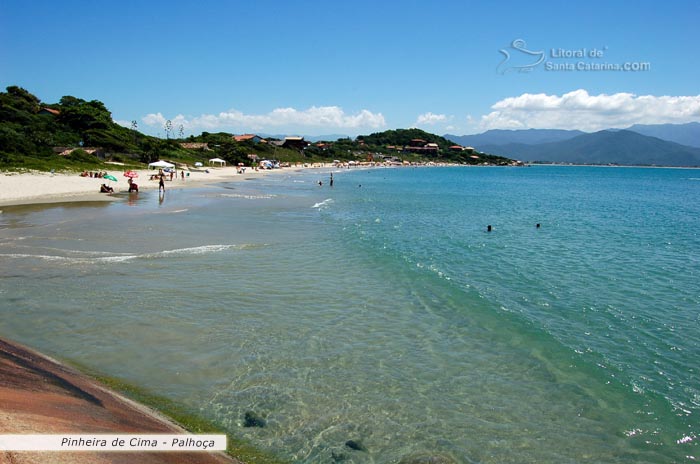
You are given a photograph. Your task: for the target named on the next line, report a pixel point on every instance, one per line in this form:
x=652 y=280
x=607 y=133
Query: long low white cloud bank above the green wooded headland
x=319 y=117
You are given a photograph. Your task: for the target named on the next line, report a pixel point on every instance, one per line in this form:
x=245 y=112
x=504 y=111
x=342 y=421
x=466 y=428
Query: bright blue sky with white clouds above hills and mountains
x=312 y=67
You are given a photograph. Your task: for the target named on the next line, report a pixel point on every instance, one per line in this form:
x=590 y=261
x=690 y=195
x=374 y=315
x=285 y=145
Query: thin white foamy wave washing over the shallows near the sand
x=95 y=257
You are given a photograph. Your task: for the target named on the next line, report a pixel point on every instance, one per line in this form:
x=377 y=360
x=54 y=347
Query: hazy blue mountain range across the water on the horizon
x=660 y=145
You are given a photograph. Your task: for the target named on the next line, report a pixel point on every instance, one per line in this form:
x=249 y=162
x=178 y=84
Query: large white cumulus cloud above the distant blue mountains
x=579 y=110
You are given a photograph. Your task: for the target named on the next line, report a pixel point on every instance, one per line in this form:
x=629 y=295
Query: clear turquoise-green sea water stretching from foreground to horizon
x=381 y=310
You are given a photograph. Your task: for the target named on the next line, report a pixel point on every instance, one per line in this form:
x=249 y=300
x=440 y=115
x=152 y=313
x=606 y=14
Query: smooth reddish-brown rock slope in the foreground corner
x=40 y=395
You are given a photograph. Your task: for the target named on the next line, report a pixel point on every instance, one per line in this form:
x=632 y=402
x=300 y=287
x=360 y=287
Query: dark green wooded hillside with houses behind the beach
x=36 y=135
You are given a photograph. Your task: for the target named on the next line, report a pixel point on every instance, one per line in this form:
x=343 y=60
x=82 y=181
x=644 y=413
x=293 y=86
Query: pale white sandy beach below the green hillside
x=33 y=188
